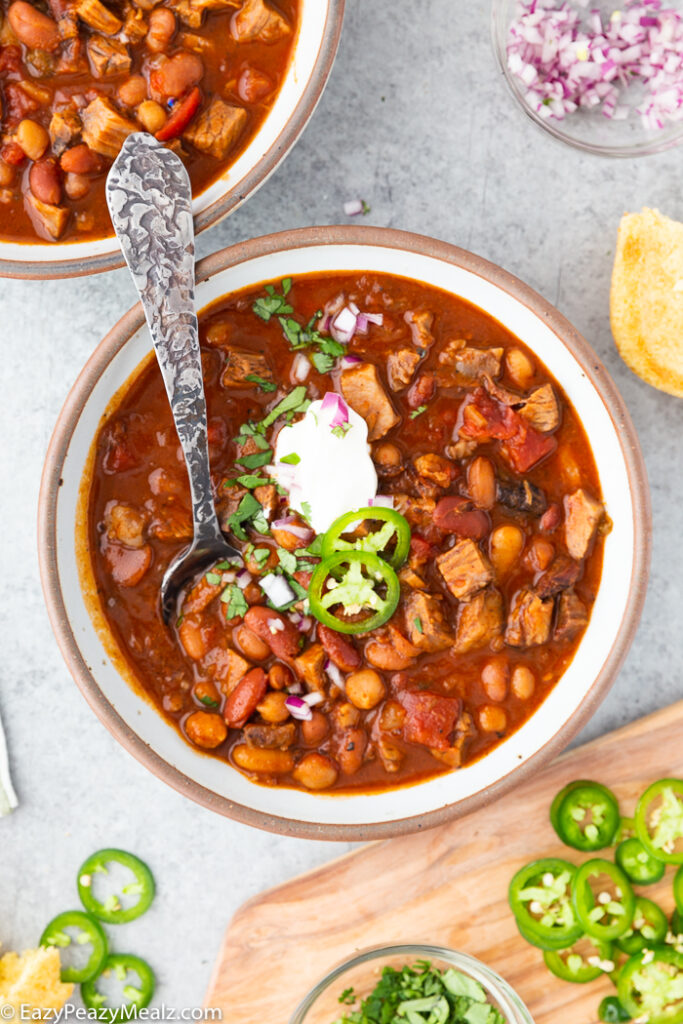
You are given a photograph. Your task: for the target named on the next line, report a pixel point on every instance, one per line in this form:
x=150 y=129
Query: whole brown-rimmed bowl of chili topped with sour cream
x=443 y=521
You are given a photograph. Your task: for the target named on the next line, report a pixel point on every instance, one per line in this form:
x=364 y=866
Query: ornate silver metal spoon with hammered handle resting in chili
x=150 y=200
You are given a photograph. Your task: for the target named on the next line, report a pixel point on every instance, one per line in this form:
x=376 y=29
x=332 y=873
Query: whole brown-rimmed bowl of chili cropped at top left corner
x=228 y=84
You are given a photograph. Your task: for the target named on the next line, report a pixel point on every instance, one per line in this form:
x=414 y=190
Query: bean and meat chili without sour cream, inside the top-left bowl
x=77 y=77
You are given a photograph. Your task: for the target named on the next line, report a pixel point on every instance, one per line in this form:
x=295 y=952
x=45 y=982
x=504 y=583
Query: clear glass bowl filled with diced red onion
x=602 y=75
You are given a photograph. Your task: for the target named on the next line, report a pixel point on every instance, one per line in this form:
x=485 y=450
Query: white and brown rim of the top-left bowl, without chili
x=313 y=58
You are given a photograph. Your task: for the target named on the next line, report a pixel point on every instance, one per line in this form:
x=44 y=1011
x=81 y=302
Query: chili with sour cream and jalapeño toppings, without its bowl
x=422 y=627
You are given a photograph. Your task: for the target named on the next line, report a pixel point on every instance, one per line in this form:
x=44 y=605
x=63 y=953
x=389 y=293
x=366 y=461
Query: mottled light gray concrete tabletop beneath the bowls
x=417 y=121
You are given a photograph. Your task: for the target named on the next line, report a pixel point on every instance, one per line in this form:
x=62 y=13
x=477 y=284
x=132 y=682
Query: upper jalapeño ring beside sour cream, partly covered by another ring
x=392 y=542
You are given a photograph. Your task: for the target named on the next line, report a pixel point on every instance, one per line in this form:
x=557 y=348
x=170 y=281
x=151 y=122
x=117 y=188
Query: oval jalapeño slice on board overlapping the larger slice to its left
x=604 y=900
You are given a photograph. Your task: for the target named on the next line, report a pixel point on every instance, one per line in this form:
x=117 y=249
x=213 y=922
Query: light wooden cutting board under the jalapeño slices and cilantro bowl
x=447 y=886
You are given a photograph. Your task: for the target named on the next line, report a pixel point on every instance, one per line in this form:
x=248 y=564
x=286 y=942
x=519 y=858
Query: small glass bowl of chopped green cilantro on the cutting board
x=412 y=985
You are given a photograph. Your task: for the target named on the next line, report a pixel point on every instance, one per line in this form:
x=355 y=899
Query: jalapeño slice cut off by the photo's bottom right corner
x=651 y=987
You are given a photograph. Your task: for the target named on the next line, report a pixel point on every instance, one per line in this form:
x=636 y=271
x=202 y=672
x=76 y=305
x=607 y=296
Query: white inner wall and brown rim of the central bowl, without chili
x=88 y=647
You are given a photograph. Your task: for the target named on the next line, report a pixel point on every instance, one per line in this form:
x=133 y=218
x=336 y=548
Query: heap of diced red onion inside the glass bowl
x=567 y=61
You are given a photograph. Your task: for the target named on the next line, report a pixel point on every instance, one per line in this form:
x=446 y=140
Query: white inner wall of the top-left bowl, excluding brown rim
x=312 y=31
